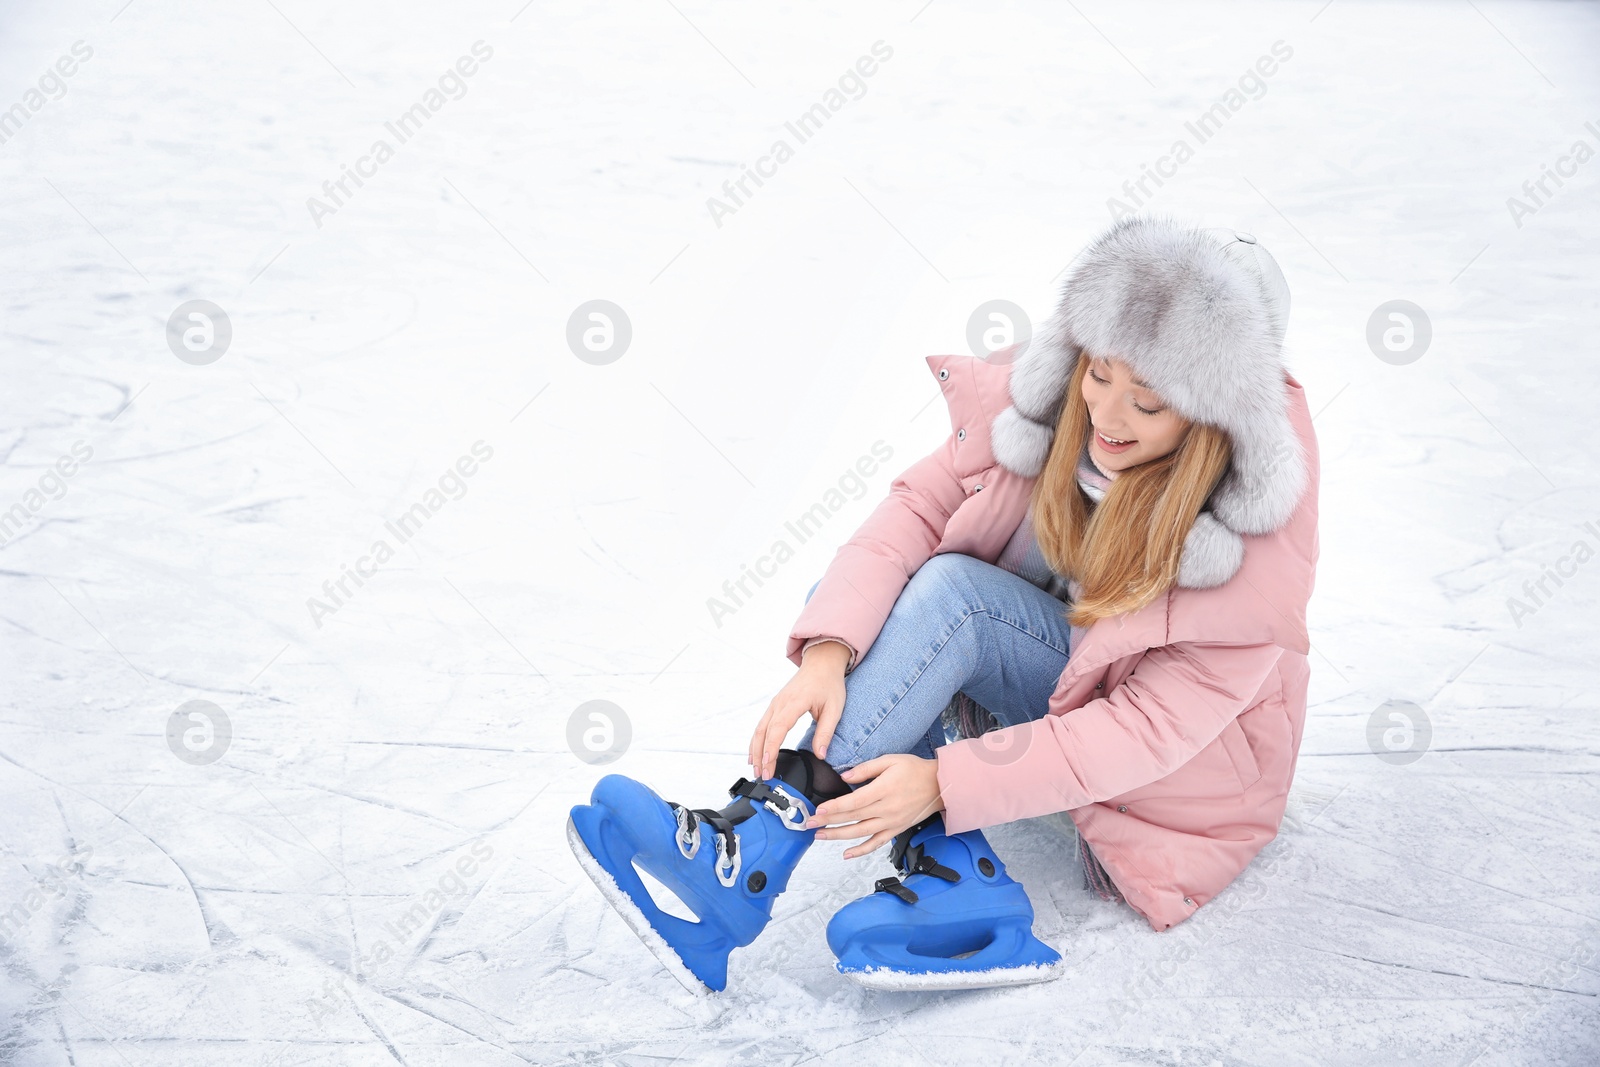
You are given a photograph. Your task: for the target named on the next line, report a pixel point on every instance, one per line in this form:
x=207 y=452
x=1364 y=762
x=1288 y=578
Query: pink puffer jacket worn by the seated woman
x=1174 y=732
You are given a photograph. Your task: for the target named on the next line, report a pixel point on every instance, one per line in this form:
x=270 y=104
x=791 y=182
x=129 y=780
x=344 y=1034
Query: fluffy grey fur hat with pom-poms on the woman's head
x=1201 y=316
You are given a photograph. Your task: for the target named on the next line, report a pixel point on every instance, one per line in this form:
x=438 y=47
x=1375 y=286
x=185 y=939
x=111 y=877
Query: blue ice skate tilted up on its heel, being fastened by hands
x=726 y=866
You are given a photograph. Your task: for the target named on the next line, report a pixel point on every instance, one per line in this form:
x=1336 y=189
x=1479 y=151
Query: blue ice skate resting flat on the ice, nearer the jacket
x=953 y=921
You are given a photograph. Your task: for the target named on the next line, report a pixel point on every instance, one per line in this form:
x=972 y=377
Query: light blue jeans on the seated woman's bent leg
x=959 y=626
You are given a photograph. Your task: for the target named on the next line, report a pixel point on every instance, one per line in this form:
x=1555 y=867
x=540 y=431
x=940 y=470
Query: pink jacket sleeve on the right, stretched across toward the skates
x=1175 y=703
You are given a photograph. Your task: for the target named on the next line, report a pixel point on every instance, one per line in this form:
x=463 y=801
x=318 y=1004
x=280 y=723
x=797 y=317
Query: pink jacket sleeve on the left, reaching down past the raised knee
x=870 y=572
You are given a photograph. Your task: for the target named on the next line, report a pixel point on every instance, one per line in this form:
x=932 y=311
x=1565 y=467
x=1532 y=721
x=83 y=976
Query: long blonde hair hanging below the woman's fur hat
x=1126 y=551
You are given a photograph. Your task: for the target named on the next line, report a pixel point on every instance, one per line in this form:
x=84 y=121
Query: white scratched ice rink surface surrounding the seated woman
x=1441 y=913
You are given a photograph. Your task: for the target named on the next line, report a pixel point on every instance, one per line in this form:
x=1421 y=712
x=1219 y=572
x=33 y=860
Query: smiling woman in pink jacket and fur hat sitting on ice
x=1145 y=460
